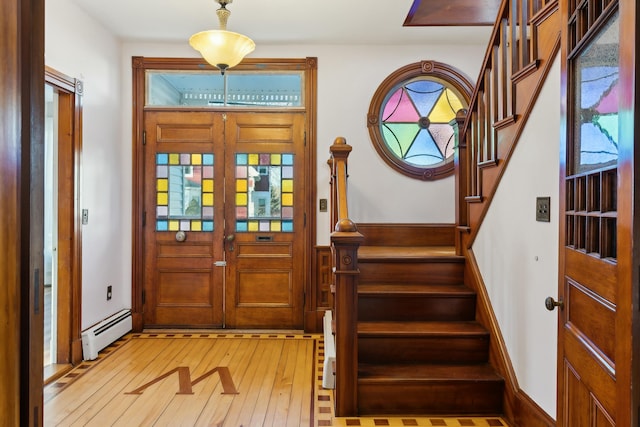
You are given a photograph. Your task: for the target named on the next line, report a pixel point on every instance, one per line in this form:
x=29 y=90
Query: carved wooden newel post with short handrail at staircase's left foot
x=345 y=240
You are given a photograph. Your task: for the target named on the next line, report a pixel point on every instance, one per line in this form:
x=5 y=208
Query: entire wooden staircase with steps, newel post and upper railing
x=409 y=330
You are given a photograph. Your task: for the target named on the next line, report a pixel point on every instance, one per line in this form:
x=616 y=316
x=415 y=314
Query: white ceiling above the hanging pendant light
x=275 y=21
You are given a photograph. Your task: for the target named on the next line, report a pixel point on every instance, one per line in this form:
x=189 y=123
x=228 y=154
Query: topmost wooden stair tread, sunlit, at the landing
x=408 y=254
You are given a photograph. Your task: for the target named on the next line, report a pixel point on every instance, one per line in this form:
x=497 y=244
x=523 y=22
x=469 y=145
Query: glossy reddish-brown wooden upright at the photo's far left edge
x=11 y=142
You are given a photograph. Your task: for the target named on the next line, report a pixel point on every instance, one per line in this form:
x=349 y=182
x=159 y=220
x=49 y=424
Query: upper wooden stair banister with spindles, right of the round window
x=510 y=57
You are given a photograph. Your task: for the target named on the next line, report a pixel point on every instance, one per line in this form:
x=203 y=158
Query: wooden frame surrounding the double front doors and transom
x=139 y=67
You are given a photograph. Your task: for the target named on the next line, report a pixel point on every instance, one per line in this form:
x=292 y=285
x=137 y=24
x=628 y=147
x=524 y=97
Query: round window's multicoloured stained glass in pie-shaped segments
x=414 y=121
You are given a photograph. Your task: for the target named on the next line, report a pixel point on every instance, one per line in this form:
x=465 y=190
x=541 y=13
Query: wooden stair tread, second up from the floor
x=424 y=328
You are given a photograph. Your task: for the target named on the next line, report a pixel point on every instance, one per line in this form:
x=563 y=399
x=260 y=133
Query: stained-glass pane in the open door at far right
x=596 y=102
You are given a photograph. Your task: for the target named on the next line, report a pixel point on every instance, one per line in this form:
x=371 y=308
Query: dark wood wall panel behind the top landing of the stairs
x=408 y=234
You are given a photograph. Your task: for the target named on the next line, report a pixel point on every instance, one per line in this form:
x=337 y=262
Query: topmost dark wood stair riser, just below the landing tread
x=427 y=273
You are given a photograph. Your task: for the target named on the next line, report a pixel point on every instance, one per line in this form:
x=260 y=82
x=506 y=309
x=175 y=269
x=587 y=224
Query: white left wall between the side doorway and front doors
x=79 y=47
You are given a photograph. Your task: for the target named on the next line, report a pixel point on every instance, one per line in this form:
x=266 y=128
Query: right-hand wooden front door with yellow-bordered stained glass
x=264 y=220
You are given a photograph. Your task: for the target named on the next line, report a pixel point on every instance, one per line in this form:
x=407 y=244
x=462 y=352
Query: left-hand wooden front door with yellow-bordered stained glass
x=183 y=239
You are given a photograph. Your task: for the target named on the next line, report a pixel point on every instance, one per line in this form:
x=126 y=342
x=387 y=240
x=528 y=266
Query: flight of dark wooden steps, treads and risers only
x=420 y=350
